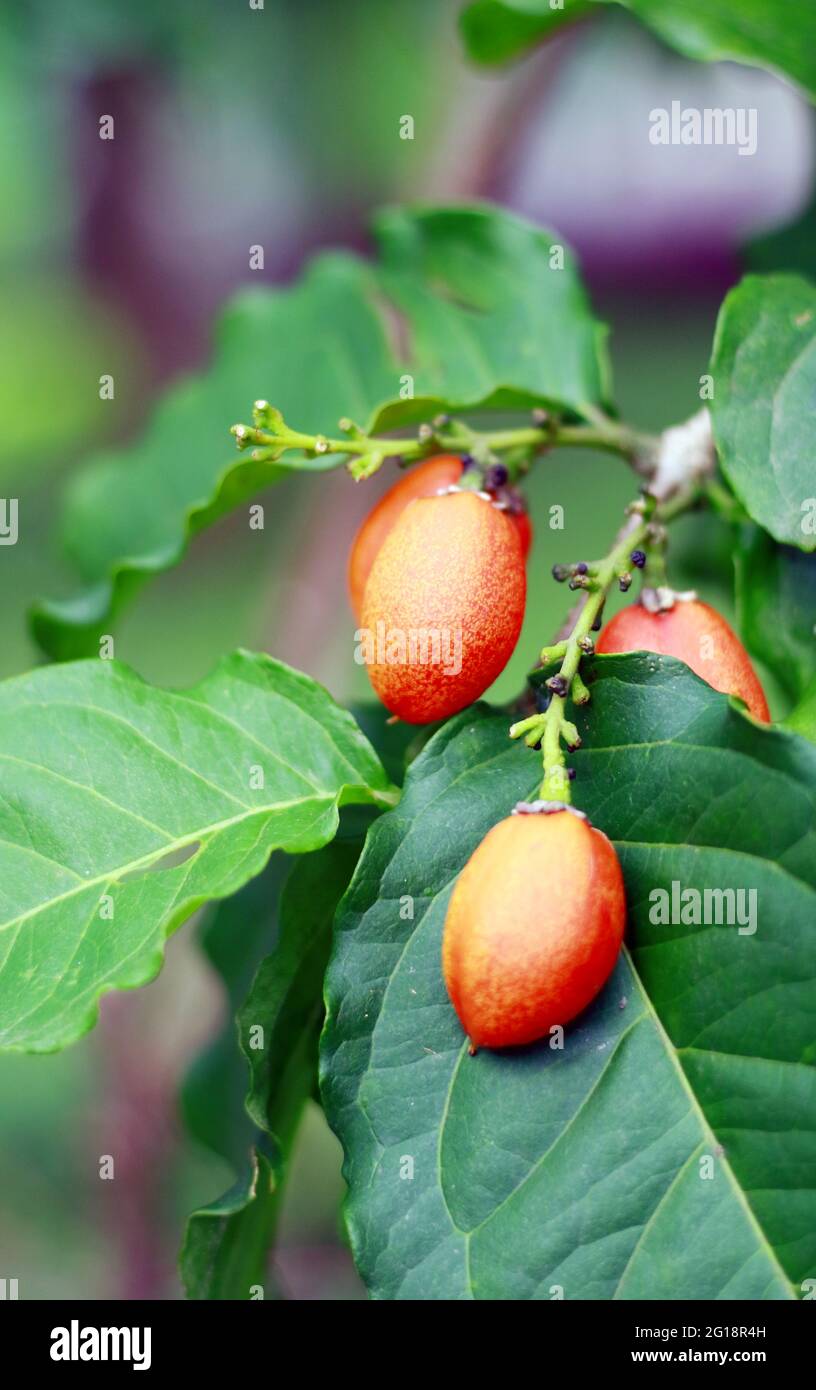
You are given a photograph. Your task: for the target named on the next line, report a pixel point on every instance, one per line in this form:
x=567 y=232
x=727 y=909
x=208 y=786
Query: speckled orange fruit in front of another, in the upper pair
x=451 y=565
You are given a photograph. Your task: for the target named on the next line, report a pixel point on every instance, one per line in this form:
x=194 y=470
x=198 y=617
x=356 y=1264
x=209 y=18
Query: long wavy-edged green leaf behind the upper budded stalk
x=486 y=323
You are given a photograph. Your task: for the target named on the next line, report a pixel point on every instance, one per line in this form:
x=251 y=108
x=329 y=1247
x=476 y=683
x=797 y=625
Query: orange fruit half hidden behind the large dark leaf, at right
x=680 y=633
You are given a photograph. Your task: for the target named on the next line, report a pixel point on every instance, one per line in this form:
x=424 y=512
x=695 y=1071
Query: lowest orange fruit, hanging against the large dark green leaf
x=535 y=928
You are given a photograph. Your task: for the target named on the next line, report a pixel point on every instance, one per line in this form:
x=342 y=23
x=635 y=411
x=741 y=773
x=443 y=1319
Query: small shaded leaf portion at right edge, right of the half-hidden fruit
x=776 y=607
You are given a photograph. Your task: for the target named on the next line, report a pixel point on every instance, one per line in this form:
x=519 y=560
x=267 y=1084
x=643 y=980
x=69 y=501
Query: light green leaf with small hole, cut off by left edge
x=127 y=807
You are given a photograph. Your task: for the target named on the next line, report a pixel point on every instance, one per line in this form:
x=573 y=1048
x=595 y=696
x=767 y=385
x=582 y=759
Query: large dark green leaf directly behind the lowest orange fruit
x=515 y=1175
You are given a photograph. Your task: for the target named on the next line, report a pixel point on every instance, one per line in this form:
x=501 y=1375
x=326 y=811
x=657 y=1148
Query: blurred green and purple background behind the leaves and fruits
x=281 y=126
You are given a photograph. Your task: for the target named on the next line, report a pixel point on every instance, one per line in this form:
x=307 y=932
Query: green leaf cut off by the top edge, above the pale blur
x=767 y=34
